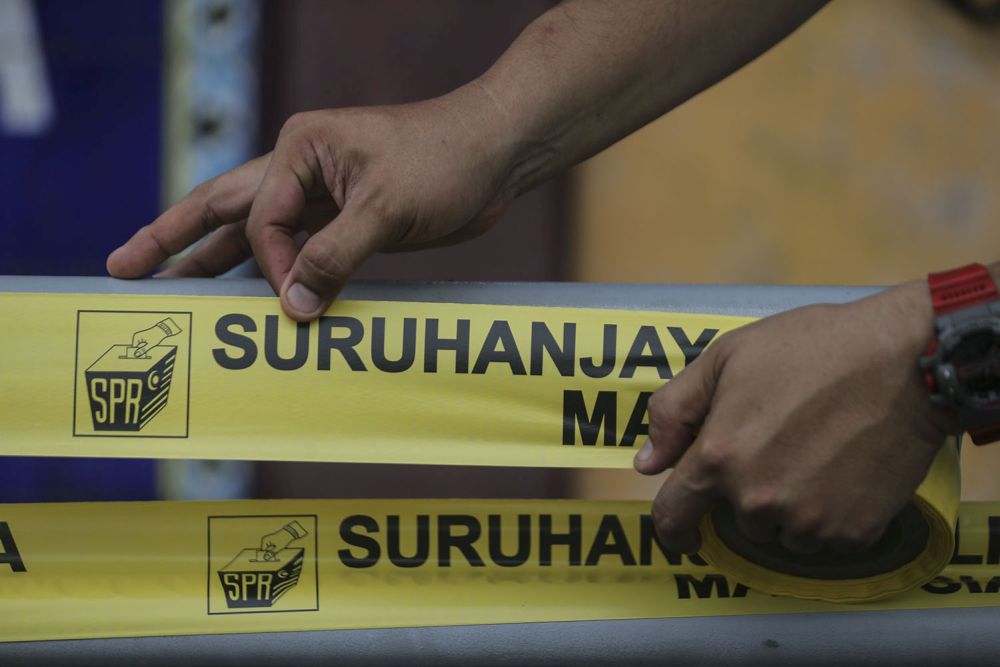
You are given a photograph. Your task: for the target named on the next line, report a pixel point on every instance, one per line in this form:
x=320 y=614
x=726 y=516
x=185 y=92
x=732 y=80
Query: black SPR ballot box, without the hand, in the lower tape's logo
x=257 y=578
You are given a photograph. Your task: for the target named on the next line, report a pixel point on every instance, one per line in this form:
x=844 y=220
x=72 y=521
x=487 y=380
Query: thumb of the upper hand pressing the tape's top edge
x=327 y=260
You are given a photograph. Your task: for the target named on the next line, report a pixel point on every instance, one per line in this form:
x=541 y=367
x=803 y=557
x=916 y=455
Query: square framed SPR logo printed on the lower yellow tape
x=260 y=564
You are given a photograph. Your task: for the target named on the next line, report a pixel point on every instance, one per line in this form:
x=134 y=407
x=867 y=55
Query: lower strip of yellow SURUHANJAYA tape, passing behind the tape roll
x=169 y=568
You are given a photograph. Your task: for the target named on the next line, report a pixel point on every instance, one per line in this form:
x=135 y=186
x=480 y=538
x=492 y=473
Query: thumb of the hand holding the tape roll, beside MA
x=676 y=412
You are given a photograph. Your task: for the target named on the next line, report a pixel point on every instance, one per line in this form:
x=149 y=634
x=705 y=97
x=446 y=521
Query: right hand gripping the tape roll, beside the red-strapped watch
x=815 y=424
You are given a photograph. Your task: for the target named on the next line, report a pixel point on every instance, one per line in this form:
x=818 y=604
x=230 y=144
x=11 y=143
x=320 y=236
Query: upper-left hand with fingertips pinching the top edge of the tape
x=354 y=181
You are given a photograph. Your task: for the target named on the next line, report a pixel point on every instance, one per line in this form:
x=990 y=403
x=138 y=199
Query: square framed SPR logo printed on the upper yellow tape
x=132 y=374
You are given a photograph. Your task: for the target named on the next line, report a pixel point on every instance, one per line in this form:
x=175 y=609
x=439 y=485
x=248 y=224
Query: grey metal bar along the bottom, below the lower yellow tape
x=952 y=637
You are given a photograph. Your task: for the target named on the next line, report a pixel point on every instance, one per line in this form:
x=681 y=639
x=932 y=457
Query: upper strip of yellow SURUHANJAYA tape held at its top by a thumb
x=231 y=378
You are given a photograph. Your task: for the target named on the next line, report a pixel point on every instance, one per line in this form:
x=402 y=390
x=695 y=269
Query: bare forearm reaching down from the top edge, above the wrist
x=590 y=72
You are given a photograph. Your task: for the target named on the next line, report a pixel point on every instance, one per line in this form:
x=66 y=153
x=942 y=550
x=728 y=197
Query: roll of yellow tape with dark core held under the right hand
x=916 y=546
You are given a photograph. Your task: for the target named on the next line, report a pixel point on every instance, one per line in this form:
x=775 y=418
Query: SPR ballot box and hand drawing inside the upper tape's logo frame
x=130 y=384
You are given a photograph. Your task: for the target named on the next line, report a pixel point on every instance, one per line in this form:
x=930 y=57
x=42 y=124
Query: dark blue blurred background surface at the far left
x=70 y=196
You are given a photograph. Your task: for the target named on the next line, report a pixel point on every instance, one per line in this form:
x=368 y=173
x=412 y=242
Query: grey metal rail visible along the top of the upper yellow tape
x=751 y=300
